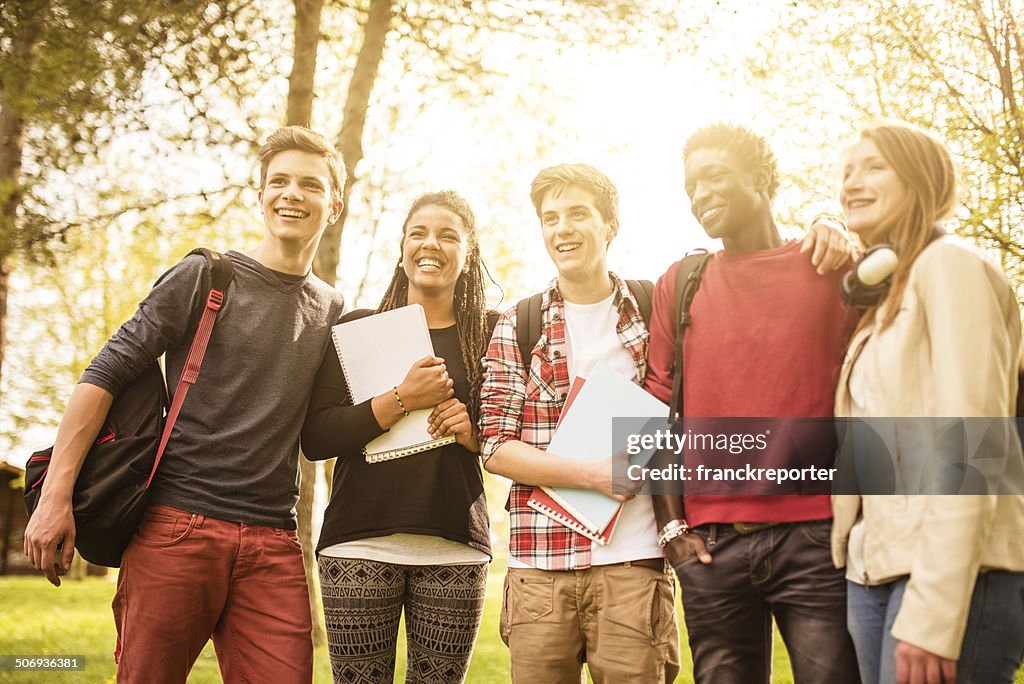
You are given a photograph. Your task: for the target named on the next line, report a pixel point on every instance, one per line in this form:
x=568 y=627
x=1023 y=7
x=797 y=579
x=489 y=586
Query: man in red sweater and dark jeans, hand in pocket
x=767 y=338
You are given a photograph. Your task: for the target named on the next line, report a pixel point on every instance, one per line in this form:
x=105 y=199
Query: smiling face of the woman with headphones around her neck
x=872 y=191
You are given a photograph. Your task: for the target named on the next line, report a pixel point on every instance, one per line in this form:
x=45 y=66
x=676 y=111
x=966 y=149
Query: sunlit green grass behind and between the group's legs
x=75 y=620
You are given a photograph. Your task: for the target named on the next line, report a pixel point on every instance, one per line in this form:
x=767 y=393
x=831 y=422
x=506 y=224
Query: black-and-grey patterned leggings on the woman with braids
x=363 y=603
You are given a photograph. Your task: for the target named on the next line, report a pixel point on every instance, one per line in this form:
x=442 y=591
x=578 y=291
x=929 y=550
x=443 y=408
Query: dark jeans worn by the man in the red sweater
x=784 y=572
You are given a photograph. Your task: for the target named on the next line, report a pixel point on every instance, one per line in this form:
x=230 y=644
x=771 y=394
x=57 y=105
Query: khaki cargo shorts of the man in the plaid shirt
x=620 y=620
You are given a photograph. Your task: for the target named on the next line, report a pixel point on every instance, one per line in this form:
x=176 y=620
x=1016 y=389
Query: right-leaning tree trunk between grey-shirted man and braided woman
x=354 y=123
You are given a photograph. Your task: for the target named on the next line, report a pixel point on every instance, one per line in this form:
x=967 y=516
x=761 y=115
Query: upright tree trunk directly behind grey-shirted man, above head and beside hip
x=301 y=105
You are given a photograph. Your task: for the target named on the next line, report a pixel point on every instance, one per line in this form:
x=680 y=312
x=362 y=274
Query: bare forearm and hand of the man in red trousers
x=53 y=524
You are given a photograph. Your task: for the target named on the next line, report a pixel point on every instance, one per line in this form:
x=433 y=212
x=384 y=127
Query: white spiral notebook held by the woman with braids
x=376 y=353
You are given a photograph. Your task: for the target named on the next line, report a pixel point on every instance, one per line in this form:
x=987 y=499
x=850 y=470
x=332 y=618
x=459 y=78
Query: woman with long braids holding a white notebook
x=410 y=534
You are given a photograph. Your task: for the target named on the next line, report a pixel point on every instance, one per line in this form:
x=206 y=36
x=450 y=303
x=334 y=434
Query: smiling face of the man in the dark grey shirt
x=296 y=198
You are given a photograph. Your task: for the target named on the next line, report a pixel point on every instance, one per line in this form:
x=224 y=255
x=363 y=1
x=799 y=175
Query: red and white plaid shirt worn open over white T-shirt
x=518 y=405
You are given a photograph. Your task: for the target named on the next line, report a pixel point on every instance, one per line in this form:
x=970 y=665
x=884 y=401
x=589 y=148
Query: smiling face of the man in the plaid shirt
x=576 y=234
